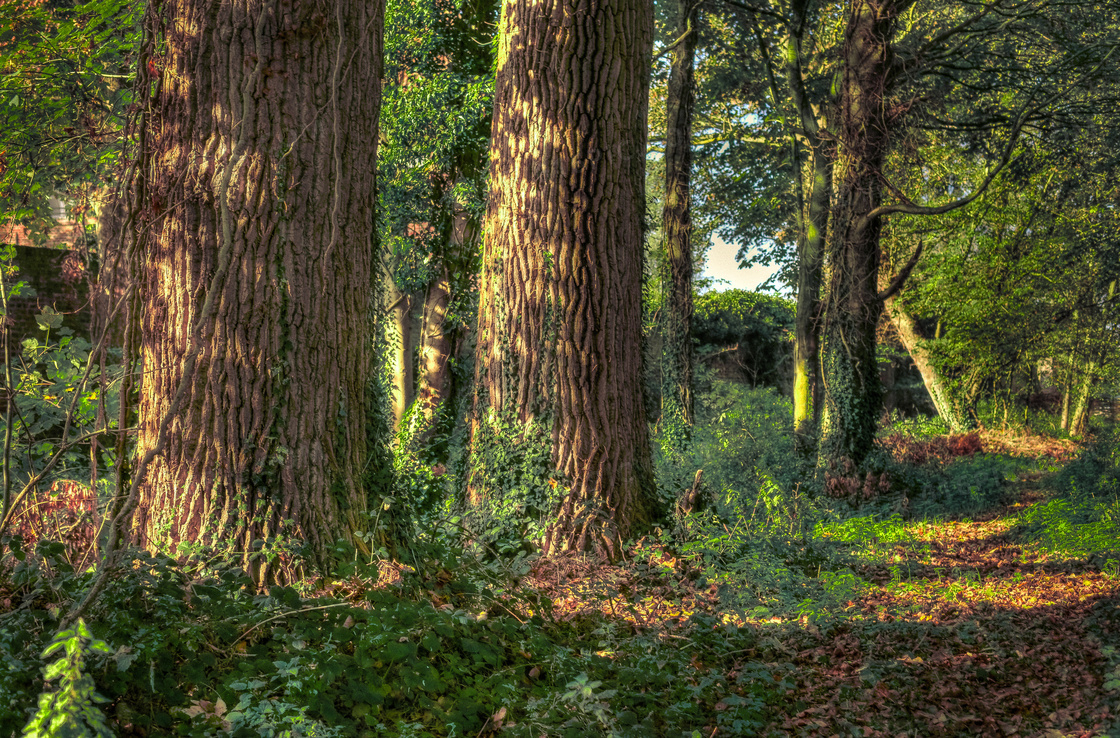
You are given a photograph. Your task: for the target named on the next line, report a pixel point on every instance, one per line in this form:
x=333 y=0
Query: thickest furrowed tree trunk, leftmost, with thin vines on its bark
x=259 y=281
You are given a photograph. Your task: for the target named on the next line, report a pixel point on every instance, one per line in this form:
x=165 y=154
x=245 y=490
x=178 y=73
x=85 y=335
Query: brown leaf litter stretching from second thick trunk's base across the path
x=942 y=629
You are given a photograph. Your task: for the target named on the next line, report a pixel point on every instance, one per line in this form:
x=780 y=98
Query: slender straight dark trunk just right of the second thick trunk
x=677 y=360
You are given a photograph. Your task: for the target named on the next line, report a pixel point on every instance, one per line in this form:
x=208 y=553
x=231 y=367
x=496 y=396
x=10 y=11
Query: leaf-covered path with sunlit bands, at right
x=965 y=631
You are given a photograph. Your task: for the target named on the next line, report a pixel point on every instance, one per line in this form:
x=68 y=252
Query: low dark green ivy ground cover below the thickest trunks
x=193 y=651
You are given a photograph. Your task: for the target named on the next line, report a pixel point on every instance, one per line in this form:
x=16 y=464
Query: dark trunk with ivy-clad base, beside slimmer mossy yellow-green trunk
x=853 y=393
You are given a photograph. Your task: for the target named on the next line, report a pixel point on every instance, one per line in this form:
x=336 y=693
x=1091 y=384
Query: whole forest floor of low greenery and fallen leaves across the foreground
x=897 y=619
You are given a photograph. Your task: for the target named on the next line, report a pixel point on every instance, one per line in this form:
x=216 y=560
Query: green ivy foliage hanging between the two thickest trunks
x=435 y=129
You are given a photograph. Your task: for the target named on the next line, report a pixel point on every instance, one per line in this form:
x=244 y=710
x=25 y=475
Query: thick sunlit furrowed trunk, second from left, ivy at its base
x=561 y=316
